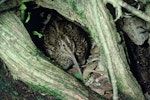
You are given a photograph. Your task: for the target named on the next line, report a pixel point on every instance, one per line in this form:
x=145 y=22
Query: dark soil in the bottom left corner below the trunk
x=11 y=89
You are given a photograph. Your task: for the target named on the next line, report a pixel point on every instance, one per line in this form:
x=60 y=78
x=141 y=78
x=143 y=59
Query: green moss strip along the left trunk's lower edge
x=56 y=93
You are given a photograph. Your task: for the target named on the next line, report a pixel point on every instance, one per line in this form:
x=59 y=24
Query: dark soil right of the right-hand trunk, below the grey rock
x=140 y=63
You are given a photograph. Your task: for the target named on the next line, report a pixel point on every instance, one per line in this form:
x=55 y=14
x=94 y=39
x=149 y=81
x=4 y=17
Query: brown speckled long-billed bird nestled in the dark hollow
x=65 y=44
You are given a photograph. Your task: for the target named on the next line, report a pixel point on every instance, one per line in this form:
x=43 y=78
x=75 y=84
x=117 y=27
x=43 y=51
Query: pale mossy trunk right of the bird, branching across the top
x=94 y=16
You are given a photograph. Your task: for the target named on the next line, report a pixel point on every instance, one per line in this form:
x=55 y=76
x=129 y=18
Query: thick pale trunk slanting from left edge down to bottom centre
x=26 y=63
